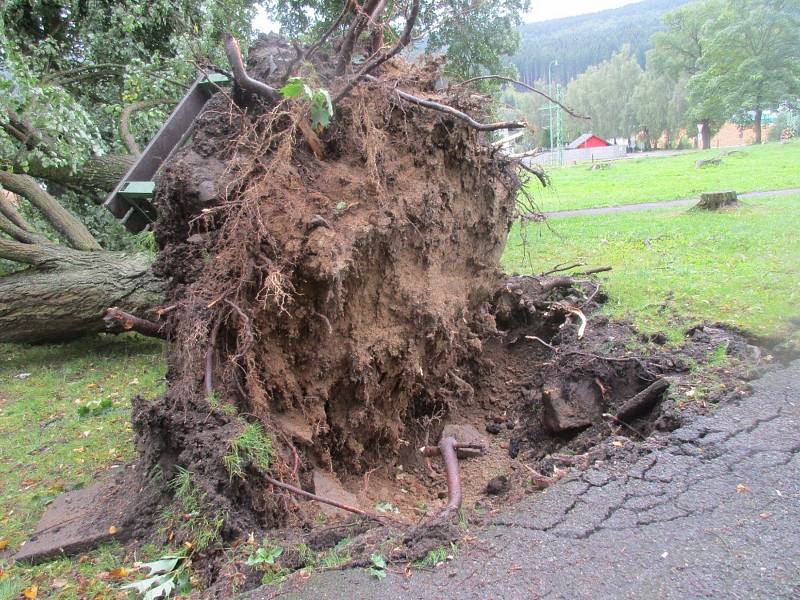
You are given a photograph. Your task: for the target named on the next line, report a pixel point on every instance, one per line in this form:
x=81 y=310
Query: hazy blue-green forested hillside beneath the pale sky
x=585 y=40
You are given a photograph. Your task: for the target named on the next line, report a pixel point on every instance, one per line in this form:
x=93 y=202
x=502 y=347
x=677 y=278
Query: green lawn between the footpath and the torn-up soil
x=673 y=269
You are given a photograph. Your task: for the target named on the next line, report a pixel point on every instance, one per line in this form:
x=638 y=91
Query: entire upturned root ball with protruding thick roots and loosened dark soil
x=329 y=238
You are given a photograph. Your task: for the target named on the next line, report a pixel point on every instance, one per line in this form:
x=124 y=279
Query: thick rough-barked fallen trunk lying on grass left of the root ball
x=66 y=293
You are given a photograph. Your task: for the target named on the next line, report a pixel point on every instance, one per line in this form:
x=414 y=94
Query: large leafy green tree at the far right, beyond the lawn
x=738 y=56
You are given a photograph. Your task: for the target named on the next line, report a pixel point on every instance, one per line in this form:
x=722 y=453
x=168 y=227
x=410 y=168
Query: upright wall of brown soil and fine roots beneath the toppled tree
x=325 y=301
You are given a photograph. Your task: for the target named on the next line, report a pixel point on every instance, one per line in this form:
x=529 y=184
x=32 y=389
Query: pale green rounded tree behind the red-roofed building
x=605 y=92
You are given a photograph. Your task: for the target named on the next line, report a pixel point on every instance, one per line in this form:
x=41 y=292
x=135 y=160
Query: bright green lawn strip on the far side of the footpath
x=650 y=179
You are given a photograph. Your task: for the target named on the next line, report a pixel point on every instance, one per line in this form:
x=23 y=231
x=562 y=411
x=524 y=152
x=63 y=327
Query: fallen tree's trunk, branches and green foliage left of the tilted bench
x=84 y=84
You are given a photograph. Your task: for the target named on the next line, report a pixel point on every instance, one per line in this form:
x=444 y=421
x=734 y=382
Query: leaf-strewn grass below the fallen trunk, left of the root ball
x=64 y=420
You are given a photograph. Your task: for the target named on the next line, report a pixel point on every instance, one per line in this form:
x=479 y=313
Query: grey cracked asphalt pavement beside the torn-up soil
x=713 y=513
